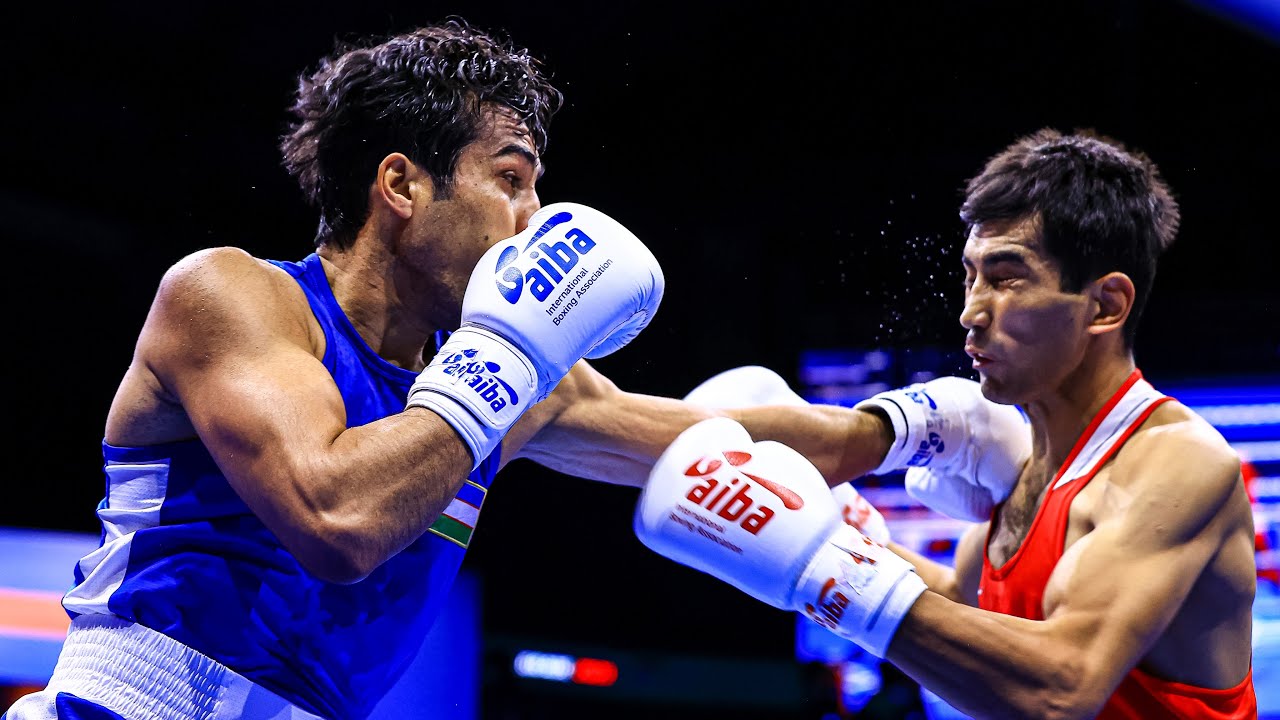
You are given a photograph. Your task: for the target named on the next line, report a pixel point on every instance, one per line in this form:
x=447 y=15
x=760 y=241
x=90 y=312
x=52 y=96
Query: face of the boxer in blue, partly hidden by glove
x=493 y=198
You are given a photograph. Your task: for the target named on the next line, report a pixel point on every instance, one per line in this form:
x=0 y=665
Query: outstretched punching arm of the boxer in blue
x=591 y=429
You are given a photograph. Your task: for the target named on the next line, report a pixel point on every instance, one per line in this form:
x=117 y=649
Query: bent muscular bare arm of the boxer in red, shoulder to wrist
x=1112 y=596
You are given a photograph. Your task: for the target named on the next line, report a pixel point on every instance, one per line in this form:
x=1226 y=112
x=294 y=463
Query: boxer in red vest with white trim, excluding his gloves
x=1118 y=577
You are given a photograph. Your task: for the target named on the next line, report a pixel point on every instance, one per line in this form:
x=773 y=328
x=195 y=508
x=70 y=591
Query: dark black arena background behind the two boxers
x=796 y=168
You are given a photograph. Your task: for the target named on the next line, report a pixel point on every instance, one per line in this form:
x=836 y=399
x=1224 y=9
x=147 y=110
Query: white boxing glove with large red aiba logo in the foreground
x=760 y=517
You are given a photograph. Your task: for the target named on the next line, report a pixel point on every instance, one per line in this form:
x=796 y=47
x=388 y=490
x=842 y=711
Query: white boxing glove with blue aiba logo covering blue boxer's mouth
x=574 y=285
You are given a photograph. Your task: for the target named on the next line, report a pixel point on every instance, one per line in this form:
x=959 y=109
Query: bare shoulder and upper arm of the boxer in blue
x=220 y=340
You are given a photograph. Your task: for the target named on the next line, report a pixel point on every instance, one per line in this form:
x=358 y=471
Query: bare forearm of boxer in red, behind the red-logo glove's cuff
x=988 y=664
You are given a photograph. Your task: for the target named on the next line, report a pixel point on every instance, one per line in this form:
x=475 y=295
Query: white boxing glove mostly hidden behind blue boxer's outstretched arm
x=751 y=386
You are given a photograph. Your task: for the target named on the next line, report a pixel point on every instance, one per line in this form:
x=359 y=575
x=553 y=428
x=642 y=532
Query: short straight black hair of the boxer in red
x=1100 y=207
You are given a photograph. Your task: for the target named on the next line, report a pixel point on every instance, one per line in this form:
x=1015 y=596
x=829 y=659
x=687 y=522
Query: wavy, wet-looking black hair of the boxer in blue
x=423 y=94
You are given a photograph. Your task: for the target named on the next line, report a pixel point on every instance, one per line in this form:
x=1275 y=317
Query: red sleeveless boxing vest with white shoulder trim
x=1018 y=587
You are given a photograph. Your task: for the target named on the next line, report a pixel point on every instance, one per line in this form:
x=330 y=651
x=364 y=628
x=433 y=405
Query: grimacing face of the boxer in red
x=1026 y=334
